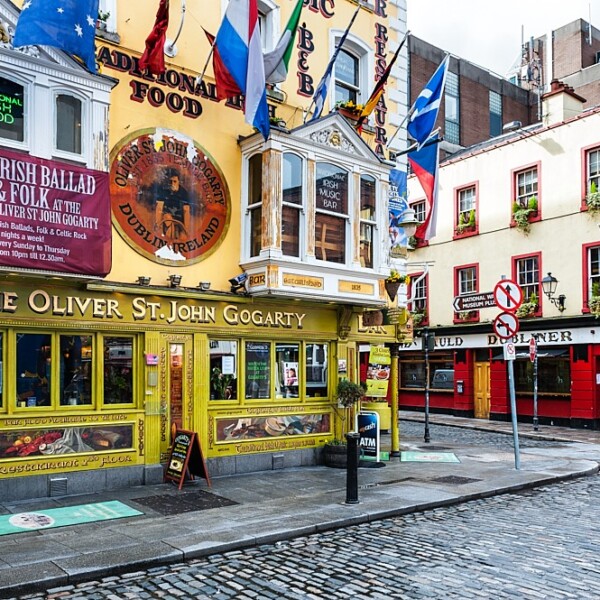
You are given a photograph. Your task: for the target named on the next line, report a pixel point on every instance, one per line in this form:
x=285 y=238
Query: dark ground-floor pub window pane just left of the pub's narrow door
x=118 y=370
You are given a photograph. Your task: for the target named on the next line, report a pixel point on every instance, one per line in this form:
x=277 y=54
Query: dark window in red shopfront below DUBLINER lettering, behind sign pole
x=554 y=373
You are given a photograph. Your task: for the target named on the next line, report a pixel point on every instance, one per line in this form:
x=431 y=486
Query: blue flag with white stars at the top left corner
x=69 y=25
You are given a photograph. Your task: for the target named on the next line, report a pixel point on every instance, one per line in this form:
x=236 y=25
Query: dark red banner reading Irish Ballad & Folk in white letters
x=53 y=216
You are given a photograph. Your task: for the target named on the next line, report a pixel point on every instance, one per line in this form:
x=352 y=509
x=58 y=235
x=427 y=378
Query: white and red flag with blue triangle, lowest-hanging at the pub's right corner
x=424 y=163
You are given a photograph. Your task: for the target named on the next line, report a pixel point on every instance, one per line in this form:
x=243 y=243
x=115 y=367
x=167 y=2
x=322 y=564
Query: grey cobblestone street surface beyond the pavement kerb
x=536 y=544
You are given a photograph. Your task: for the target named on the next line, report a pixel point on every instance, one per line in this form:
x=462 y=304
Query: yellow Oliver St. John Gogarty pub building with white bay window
x=164 y=267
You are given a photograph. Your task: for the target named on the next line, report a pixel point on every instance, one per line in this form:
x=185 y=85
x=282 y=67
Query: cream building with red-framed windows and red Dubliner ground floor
x=545 y=171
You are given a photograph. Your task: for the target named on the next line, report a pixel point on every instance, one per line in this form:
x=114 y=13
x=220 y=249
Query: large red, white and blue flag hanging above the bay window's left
x=239 y=46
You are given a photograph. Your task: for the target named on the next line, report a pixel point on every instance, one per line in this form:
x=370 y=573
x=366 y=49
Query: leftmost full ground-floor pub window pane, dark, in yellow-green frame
x=34 y=369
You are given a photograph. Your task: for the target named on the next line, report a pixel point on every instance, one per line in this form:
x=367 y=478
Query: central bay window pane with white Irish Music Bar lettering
x=332 y=213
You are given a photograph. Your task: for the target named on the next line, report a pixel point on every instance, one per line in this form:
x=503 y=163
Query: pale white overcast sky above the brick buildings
x=489 y=34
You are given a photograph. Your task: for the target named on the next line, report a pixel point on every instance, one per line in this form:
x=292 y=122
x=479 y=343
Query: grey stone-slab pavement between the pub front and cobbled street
x=282 y=504
